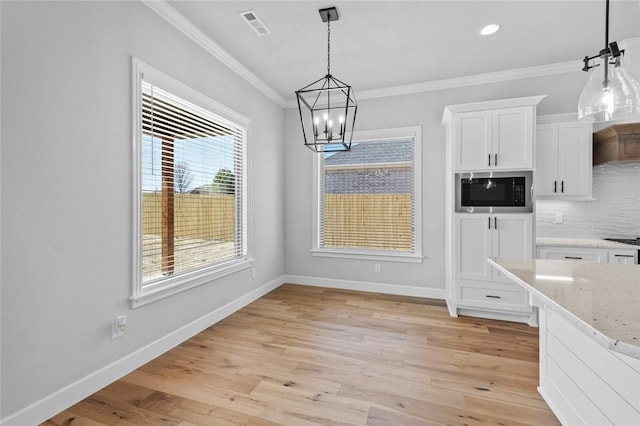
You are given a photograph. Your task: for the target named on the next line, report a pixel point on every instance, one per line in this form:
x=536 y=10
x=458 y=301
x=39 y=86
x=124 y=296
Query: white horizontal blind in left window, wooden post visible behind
x=193 y=183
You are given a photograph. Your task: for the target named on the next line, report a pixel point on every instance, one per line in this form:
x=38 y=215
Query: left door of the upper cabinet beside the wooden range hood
x=546 y=159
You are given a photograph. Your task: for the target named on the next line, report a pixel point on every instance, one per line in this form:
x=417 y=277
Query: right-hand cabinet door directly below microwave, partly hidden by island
x=513 y=238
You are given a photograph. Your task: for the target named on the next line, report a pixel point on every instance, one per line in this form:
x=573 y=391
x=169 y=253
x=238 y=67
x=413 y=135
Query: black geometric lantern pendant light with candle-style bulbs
x=327 y=106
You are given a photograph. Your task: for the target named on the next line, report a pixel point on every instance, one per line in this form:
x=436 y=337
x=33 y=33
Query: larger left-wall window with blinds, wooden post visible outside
x=190 y=187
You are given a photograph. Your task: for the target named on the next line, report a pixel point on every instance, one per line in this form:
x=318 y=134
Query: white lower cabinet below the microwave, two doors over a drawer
x=479 y=290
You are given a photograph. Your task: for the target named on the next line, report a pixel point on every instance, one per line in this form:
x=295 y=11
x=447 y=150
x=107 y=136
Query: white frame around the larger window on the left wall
x=157 y=290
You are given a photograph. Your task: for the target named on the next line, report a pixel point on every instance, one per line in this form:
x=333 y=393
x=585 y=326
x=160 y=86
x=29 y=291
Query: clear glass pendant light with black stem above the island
x=611 y=92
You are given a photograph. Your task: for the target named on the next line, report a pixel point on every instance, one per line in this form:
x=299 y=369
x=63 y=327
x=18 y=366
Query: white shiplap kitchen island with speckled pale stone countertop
x=589 y=318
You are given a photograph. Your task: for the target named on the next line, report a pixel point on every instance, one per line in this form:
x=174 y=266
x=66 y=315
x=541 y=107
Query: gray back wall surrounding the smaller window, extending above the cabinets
x=424 y=109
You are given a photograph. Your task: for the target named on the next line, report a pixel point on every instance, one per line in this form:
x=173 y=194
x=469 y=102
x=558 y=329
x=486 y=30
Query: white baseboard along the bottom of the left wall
x=58 y=401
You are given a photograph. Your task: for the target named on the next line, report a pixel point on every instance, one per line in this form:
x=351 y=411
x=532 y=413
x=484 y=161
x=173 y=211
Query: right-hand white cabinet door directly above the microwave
x=512 y=139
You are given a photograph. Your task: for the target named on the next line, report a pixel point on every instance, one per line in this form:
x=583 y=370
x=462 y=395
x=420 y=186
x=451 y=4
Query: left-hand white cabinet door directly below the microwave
x=473 y=246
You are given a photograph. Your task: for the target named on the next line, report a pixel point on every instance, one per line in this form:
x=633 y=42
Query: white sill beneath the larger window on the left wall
x=185 y=282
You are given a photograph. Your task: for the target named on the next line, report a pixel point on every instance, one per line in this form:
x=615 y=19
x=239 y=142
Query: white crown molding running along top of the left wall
x=175 y=18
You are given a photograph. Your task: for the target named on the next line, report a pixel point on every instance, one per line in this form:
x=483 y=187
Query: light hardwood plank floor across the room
x=316 y=356
